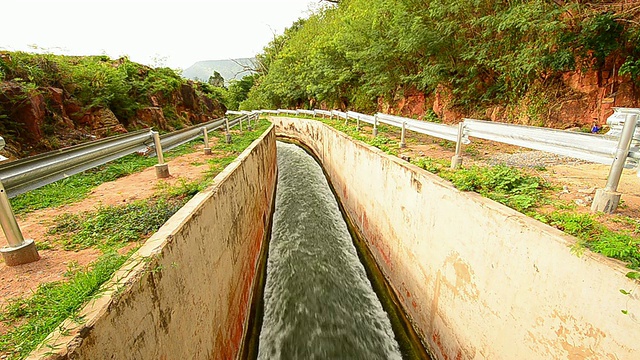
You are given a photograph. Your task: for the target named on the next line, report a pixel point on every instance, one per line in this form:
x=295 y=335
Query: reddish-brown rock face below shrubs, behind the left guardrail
x=47 y=118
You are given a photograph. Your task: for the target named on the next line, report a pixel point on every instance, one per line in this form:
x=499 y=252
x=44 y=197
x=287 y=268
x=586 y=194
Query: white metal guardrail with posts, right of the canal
x=617 y=151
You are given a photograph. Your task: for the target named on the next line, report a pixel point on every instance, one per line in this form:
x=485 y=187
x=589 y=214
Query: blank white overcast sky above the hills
x=170 y=33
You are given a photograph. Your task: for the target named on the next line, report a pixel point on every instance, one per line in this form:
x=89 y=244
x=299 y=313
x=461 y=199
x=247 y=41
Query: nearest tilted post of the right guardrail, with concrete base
x=606 y=200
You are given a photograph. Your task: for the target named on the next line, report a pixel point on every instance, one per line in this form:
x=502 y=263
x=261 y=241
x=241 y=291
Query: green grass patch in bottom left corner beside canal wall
x=40 y=314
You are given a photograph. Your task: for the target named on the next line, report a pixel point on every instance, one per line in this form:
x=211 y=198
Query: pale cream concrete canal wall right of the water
x=477 y=279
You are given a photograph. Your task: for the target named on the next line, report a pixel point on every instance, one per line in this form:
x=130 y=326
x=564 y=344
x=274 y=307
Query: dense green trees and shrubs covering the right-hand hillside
x=482 y=52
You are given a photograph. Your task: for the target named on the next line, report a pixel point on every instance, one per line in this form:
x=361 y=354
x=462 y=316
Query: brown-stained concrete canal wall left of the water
x=186 y=293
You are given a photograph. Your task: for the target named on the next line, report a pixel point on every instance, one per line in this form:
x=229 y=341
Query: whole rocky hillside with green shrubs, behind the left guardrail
x=49 y=101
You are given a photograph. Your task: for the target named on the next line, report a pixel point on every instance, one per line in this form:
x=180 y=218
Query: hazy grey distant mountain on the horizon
x=229 y=69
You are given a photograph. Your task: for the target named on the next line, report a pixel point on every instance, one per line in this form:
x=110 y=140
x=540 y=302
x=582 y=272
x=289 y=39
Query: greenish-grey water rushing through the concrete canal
x=318 y=301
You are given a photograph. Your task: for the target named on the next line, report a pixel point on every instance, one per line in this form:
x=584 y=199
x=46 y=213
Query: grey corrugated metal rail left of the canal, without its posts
x=33 y=172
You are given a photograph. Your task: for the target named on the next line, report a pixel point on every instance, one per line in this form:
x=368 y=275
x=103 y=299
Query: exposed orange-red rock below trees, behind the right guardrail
x=578 y=99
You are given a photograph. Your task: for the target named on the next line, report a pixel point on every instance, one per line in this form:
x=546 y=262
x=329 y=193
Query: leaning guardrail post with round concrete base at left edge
x=19 y=251
